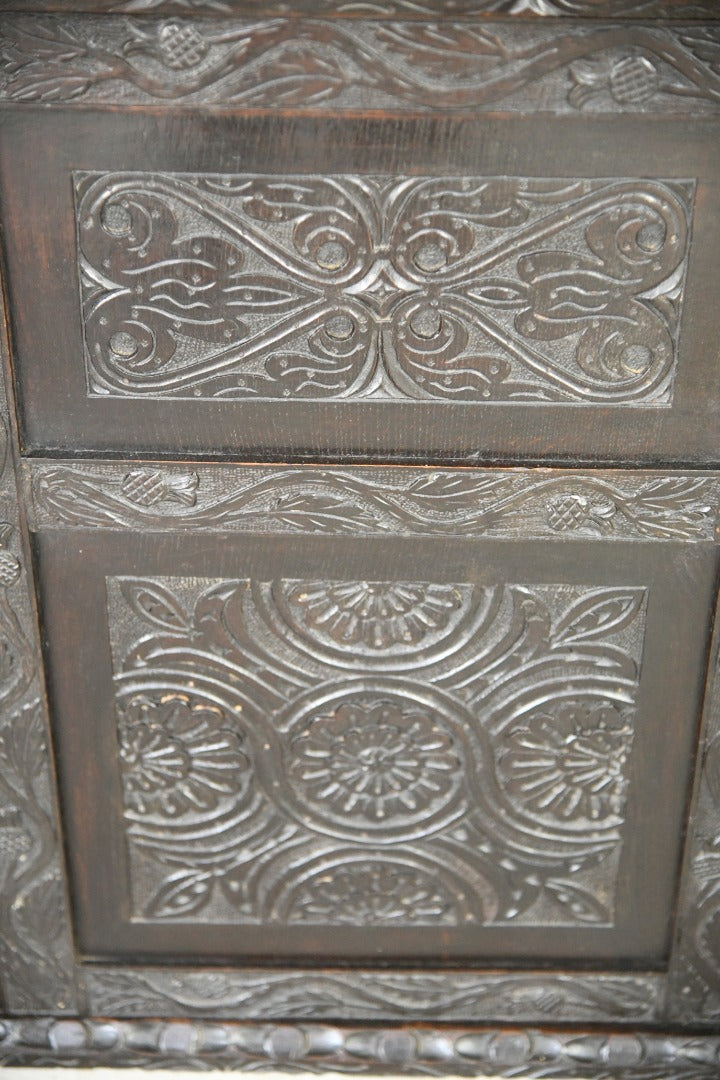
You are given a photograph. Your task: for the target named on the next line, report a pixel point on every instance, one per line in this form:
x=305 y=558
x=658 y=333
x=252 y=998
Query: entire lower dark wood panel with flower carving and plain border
x=354 y=764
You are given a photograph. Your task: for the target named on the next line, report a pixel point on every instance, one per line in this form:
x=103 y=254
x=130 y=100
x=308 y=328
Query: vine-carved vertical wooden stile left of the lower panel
x=36 y=950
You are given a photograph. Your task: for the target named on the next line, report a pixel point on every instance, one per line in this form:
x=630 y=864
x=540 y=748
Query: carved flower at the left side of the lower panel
x=178 y=757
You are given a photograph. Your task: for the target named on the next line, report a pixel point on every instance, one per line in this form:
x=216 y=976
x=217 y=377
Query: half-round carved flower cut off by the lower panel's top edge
x=377 y=614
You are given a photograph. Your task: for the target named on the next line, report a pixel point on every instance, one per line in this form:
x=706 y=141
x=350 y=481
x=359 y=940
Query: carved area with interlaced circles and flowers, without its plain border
x=270 y=776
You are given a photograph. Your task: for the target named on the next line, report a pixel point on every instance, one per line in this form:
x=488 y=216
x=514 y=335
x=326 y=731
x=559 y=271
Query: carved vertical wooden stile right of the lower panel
x=695 y=975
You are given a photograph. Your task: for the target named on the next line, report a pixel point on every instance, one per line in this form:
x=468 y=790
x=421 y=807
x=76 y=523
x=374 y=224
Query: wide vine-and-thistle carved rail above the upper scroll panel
x=351 y=64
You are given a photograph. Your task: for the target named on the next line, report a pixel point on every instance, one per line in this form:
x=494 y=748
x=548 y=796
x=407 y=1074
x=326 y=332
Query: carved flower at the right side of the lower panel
x=569 y=763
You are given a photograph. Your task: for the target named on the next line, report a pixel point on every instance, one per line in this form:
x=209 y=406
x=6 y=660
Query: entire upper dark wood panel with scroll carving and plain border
x=416 y=298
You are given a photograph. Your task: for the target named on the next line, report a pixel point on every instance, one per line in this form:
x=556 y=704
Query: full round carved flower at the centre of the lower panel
x=376 y=761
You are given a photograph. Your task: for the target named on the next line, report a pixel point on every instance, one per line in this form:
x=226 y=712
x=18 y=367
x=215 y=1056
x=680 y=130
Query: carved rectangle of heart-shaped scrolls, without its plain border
x=461 y=289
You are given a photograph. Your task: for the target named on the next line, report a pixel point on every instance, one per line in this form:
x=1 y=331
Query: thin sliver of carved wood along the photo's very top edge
x=386 y=9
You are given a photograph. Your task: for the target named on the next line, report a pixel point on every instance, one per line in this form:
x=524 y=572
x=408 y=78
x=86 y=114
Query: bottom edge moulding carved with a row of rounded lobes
x=317 y=1048
